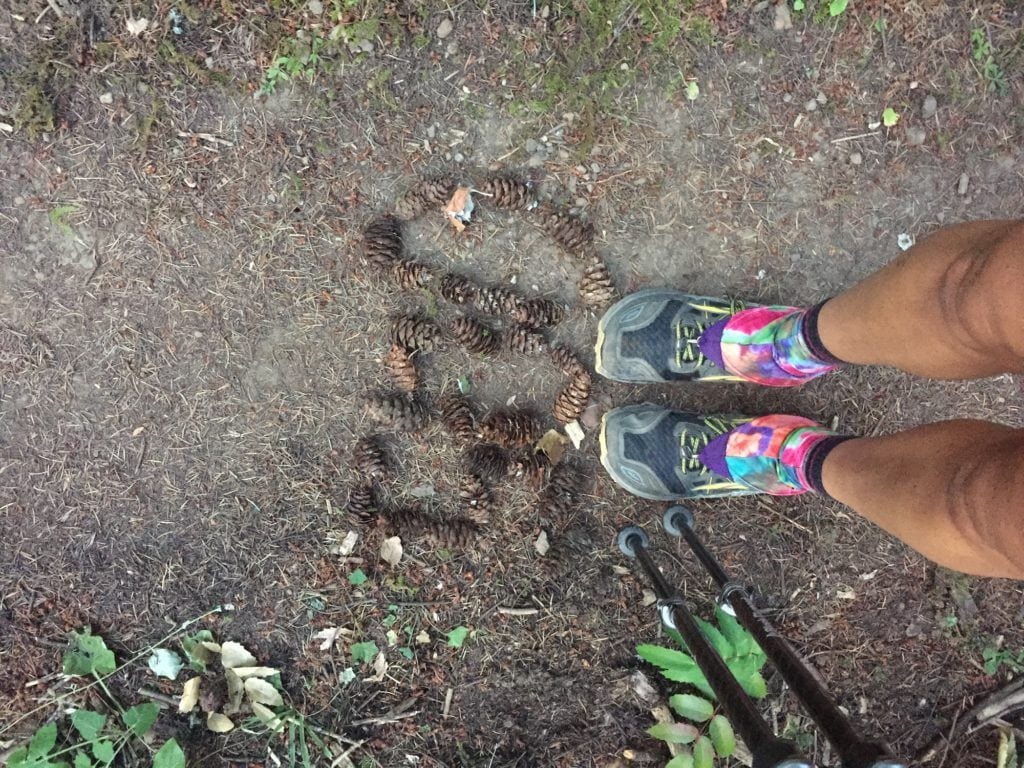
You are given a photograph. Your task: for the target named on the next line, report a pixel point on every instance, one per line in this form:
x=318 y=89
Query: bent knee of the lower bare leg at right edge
x=986 y=497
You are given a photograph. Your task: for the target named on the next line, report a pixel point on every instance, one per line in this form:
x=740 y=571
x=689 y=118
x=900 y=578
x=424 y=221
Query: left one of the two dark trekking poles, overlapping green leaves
x=767 y=750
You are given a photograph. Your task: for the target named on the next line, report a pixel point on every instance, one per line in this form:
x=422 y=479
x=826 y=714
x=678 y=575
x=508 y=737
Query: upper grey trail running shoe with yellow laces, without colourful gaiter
x=652 y=337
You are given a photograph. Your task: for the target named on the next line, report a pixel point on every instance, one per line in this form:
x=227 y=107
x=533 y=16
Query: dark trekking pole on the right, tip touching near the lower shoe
x=855 y=751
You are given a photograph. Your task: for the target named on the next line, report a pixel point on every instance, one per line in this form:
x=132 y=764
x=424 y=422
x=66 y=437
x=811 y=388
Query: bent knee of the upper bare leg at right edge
x=982 y=294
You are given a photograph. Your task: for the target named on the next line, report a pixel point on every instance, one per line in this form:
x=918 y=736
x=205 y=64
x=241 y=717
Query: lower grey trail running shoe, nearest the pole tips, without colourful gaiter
x=654 y=453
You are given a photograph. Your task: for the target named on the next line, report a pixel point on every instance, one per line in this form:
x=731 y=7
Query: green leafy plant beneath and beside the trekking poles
x=706 y=734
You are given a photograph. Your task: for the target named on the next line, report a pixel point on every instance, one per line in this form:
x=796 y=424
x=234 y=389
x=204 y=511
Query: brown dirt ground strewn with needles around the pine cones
x=188 y=336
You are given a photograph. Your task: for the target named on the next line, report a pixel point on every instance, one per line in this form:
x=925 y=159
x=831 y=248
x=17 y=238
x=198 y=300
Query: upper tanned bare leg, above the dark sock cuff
x=952 y=308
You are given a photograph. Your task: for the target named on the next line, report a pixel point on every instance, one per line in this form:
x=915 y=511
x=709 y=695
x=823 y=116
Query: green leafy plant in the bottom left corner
x=95 y=740
